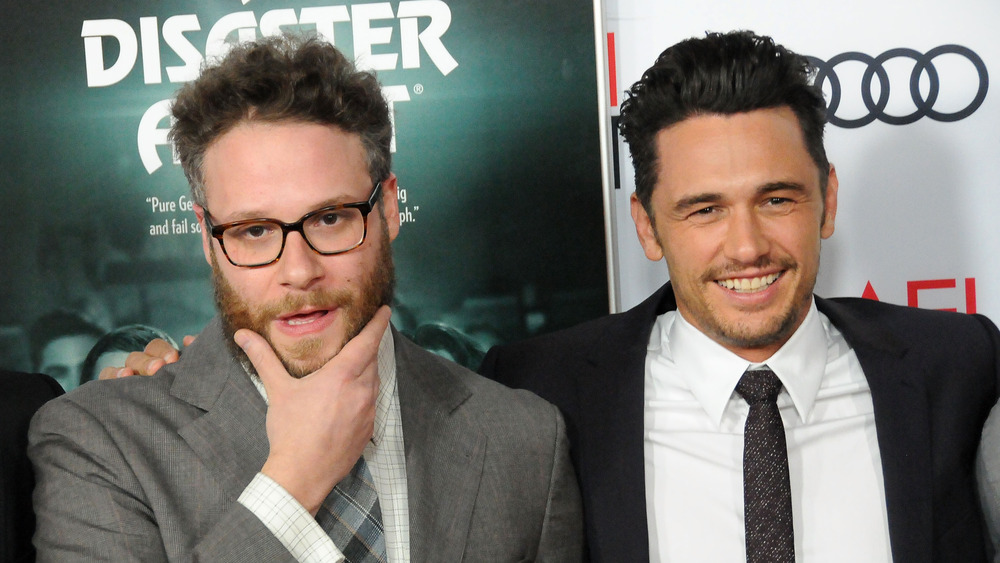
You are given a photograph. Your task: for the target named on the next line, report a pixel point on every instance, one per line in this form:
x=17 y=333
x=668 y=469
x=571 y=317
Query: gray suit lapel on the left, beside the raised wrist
x=230 y=438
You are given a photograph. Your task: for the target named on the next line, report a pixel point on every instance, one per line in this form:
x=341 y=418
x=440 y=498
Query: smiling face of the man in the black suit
x=738 y=214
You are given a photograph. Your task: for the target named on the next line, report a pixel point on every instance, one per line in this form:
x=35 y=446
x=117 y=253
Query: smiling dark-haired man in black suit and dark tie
x=867 y=451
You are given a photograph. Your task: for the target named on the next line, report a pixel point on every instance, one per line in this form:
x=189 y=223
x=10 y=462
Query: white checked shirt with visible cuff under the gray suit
x=292 y=524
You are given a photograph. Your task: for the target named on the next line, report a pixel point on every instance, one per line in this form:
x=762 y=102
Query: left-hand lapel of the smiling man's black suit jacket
x=611 y=464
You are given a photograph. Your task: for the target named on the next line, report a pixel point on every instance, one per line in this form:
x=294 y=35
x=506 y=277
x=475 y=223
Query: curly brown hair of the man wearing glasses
x=283 y=78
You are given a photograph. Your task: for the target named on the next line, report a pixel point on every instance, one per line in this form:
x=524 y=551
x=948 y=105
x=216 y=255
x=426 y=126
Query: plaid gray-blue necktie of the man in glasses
x=351 y=516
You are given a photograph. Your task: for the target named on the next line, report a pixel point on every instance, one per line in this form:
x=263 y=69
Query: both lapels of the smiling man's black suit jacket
x=612 y=389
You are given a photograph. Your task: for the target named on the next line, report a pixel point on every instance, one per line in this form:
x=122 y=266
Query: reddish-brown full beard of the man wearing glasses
x=357 y=306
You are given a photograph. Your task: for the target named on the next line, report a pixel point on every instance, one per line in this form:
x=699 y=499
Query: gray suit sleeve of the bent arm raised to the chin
x=92 y=506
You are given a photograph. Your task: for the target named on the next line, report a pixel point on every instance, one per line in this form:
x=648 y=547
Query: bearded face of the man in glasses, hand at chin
x=305 y=304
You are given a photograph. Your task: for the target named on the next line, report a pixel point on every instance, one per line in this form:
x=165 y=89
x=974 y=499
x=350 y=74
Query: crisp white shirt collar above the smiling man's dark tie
x=712 y=372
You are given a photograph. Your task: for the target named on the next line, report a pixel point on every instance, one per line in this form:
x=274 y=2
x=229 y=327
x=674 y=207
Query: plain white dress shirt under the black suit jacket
x=693 y=446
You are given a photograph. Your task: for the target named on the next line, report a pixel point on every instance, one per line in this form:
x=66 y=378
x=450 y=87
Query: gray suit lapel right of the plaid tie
x=444 y=458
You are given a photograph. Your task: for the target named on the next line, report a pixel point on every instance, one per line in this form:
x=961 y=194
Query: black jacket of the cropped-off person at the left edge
x=20 y=396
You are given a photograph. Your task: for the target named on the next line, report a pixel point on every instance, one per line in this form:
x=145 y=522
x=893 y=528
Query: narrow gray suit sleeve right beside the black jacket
x=562 y=529
